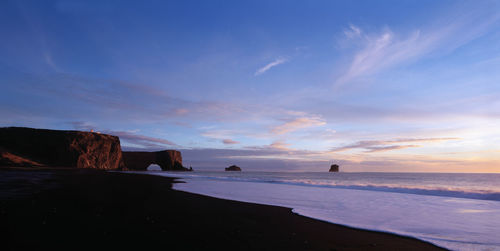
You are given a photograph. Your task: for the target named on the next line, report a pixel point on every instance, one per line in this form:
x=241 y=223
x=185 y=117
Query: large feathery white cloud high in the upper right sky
x=387 y=48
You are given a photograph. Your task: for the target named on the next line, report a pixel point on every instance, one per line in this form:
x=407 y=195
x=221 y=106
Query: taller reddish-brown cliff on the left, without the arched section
x=21 y=146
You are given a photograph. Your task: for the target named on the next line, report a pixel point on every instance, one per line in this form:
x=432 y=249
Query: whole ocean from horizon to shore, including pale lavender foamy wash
x=455 y=211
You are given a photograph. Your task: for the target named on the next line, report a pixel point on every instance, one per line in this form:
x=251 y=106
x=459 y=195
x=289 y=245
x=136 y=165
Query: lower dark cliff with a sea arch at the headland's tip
x=168 y=160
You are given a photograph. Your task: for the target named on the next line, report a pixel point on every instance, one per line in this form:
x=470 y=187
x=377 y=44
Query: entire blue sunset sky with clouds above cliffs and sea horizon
x=395 y=86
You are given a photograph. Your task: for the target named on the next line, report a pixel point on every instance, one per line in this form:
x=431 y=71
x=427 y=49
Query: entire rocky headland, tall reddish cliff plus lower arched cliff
x=29 y=147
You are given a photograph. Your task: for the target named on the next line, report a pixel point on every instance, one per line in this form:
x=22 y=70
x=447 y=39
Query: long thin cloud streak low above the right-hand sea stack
x=372 y=146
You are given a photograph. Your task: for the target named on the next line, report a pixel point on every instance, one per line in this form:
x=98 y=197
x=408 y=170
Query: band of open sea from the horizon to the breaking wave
x=475 y=186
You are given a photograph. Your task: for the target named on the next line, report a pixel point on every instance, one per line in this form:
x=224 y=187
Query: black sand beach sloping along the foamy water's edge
x=76 y=209
